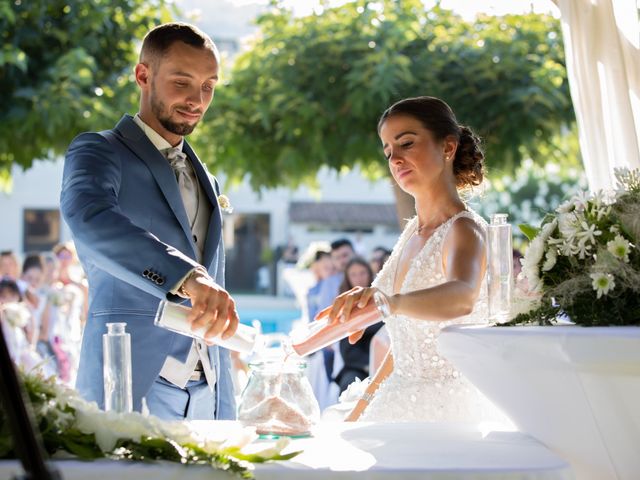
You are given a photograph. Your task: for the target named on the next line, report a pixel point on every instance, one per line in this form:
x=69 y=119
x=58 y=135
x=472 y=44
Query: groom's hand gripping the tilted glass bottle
x=212 y=306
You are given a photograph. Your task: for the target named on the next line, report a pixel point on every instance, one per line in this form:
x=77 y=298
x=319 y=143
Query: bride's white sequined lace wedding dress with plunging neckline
x=423 y=385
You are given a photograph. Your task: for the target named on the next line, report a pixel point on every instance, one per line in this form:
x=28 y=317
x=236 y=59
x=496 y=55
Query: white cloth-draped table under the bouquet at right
x=576 y=389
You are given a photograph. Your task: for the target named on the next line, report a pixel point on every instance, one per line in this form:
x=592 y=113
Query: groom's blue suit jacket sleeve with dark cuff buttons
x=108 y=238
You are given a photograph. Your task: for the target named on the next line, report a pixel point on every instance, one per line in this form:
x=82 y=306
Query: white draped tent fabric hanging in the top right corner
x=602 y=45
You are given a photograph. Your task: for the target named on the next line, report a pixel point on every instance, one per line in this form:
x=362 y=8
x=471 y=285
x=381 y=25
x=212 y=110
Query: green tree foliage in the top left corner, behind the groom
x=65 y=67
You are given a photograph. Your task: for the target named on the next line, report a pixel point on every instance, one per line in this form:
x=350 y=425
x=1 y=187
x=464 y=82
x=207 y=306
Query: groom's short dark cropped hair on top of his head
x=159 y=40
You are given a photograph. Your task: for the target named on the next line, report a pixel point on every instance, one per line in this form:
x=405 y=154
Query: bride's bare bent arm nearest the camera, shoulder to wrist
x=464 y=264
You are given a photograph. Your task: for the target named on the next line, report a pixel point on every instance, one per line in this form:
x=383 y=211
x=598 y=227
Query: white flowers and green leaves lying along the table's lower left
x=71 y=426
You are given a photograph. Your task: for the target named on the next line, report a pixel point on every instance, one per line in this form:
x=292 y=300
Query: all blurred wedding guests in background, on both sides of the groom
x=44 y=299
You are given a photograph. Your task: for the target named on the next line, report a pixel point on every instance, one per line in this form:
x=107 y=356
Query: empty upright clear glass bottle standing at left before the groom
x=116 y=344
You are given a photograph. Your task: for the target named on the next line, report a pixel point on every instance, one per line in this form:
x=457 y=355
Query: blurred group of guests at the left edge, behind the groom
x=42 y=309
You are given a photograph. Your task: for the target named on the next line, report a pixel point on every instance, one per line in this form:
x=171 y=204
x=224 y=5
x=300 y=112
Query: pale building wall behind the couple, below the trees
x=39 y=187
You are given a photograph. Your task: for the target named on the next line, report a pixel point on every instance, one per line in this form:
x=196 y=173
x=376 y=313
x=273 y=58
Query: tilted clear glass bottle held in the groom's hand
x=173 y=316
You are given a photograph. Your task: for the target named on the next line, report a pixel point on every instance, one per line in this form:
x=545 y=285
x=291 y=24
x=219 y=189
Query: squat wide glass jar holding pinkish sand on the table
x=278 y=399
